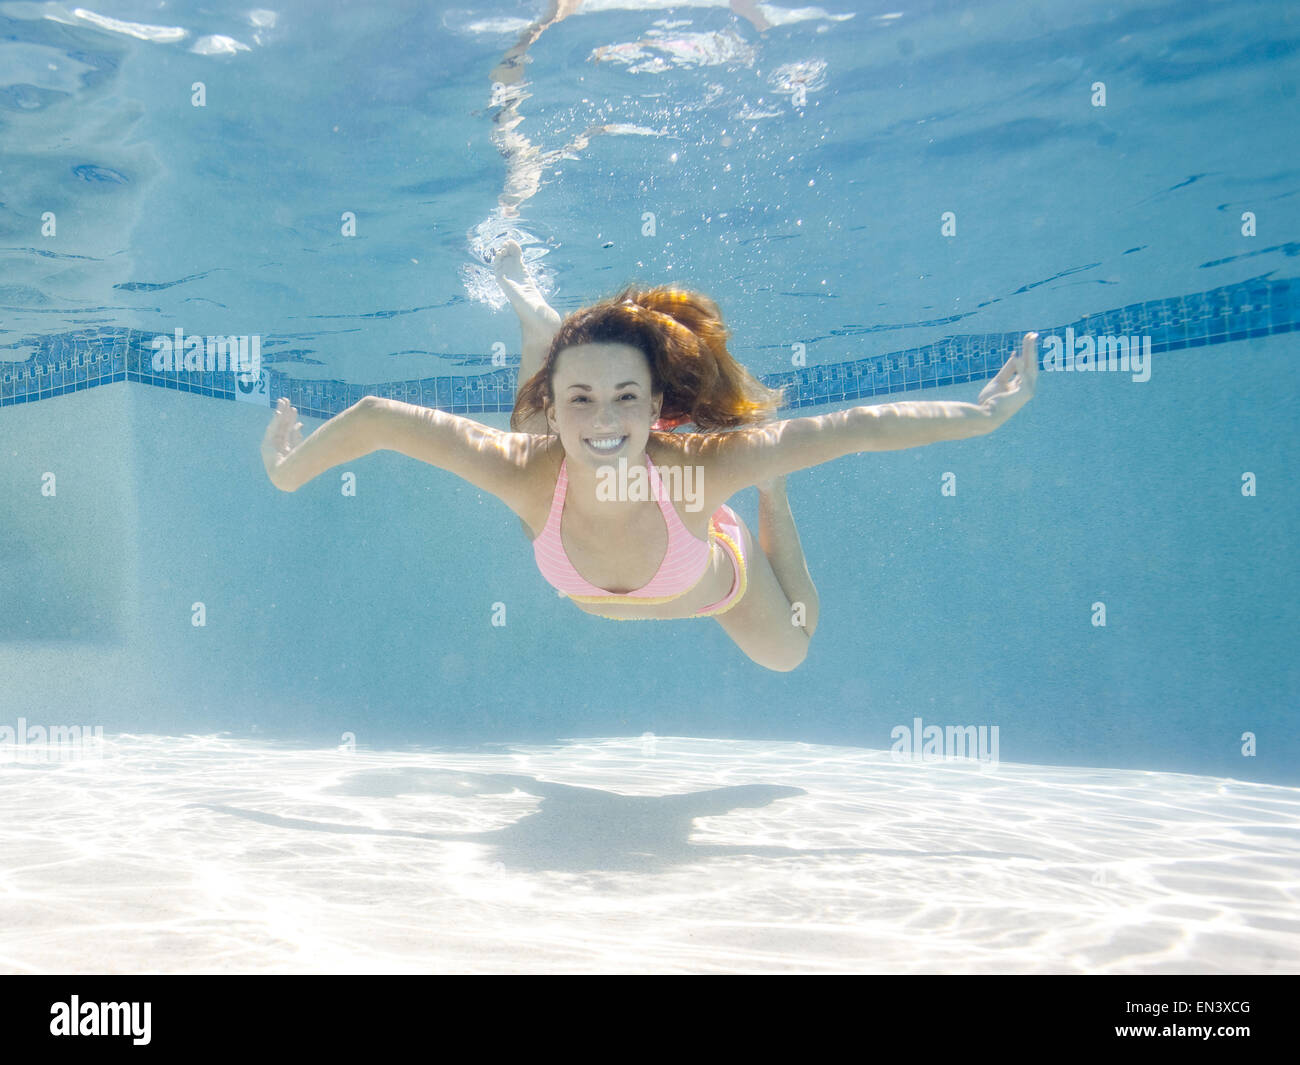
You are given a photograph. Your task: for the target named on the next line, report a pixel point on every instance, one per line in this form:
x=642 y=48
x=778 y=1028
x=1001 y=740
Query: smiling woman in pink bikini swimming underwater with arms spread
x=596 y=393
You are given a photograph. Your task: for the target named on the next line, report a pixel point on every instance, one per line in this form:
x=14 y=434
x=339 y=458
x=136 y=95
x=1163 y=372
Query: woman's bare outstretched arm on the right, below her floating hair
x=755 y=456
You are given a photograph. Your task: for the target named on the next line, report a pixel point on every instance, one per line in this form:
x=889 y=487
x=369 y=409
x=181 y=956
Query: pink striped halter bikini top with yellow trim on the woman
x=683 y=568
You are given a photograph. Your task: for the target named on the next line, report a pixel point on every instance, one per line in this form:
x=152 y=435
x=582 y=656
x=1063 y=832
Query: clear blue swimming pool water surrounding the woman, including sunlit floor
x=882 y=201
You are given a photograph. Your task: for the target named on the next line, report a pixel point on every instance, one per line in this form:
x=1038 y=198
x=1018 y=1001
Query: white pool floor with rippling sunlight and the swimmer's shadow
x=635 y=855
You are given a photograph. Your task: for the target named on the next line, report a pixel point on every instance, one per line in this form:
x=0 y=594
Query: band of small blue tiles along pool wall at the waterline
x=71 y=362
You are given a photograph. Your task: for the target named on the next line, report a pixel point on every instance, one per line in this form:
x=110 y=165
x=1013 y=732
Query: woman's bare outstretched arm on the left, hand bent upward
x=488 y=458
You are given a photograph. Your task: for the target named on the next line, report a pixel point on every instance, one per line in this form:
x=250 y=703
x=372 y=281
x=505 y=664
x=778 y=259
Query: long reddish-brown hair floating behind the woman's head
x=684 y=340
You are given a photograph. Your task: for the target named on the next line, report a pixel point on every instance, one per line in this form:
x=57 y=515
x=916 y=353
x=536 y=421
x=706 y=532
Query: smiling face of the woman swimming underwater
x=604 y=402
